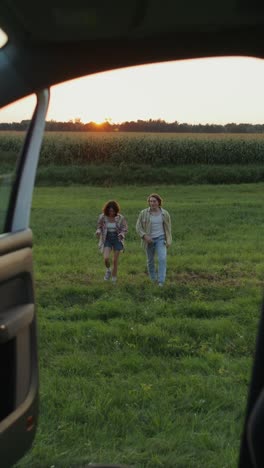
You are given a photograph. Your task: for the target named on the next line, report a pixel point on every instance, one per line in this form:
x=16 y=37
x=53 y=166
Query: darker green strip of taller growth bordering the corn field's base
x=107 y=175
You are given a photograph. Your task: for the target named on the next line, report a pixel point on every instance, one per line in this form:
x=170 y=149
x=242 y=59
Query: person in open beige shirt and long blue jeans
x=154 y=228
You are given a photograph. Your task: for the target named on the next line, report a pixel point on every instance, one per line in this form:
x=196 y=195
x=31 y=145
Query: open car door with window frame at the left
x=18 y=340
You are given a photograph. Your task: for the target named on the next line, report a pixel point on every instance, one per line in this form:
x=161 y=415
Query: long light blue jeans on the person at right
x=158 y=245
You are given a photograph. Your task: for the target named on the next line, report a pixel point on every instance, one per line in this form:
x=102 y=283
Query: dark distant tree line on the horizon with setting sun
x=158 y=125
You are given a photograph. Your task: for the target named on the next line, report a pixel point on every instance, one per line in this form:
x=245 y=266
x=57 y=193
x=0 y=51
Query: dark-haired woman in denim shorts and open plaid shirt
x=111 y=230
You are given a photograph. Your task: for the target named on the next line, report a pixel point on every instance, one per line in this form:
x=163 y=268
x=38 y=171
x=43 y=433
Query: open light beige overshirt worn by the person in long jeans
x=143 y=225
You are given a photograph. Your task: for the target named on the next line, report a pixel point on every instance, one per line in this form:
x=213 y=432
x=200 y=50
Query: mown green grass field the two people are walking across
x=130 y=373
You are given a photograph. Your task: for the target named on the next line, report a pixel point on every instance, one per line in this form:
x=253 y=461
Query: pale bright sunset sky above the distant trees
x=218 y=90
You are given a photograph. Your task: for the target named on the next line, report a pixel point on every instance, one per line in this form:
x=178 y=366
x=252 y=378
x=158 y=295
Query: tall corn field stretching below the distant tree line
x=65 y=148
